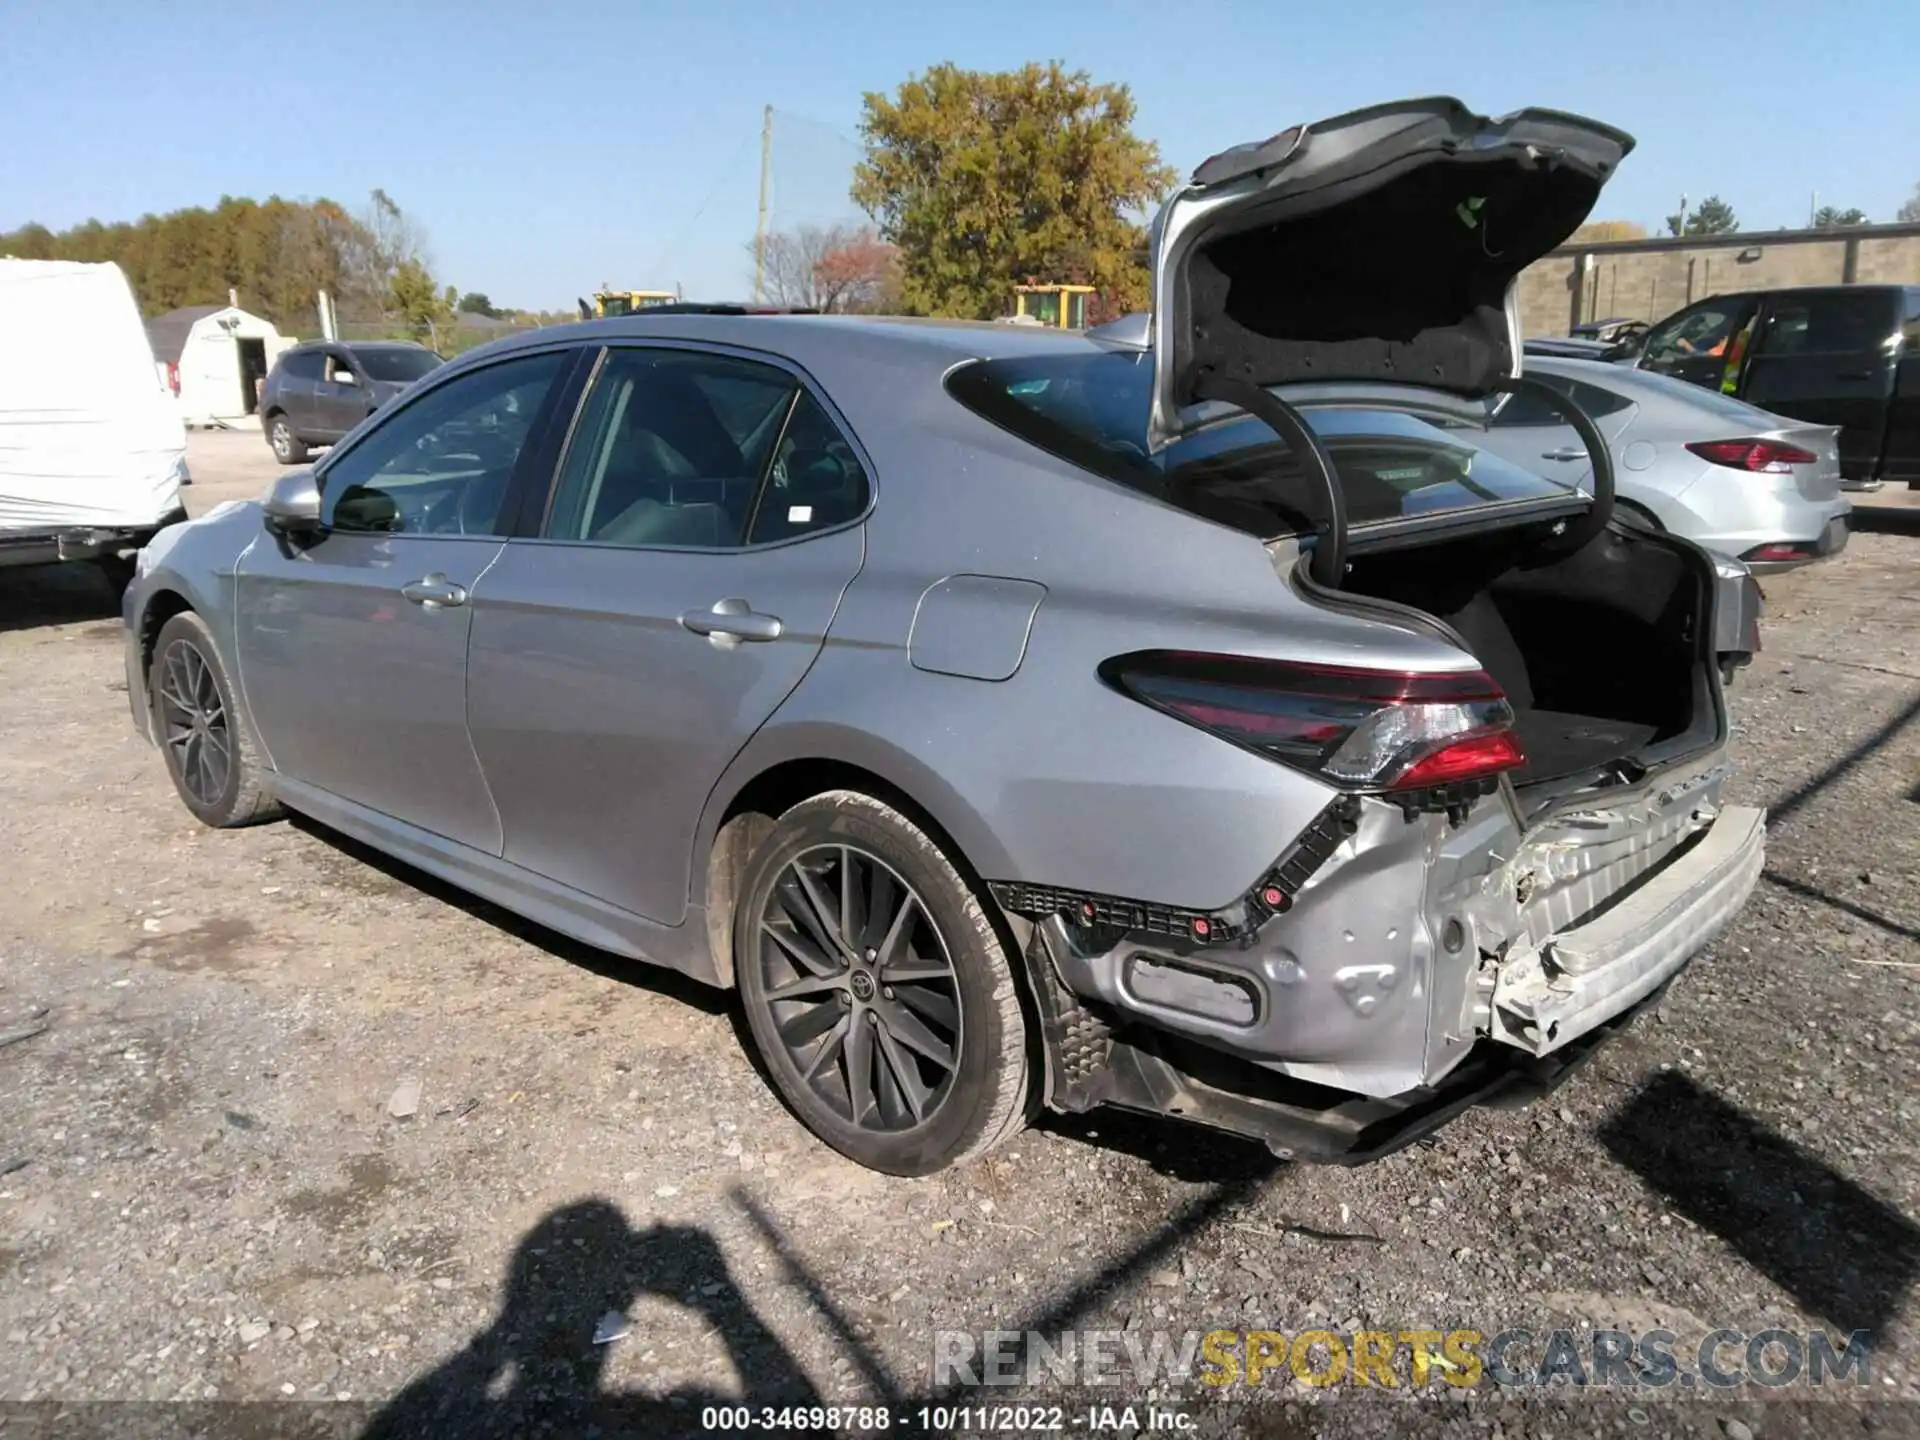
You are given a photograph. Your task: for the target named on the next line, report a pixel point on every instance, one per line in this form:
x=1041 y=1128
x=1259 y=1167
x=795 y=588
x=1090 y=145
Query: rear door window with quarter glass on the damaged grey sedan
x=694 y=450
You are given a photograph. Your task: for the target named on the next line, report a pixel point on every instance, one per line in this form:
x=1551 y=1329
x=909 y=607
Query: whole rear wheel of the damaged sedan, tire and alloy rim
x=878 y=992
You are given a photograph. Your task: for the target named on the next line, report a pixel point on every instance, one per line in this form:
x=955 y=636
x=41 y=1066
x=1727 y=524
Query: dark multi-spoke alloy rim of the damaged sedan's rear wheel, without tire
x=861 y=988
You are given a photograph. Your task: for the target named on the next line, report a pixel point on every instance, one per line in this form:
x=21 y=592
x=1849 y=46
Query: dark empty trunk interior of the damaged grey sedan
x=1604 y=654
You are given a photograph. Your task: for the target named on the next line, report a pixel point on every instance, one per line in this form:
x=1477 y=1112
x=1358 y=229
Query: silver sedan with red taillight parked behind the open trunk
x=1731 y=477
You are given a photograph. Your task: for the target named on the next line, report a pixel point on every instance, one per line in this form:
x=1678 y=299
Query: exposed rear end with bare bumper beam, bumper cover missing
x=1414 y=976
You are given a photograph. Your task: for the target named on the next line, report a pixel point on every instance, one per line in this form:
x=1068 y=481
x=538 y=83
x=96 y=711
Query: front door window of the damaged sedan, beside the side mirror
x=441 y=466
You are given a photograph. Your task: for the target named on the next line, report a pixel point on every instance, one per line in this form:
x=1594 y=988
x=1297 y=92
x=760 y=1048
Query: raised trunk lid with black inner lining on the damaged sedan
x=1380 y=247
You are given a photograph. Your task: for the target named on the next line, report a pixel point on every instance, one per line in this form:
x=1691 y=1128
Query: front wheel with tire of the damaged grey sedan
x=210 y=752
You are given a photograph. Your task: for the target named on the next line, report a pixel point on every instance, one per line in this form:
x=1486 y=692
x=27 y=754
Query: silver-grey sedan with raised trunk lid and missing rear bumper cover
x=1024 y=719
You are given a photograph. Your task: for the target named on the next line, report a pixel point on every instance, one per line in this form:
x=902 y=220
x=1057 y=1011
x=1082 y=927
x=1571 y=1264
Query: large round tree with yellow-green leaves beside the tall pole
x=984 y=180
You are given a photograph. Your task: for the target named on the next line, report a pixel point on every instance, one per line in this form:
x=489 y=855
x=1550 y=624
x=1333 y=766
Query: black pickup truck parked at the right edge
x=1846 y=356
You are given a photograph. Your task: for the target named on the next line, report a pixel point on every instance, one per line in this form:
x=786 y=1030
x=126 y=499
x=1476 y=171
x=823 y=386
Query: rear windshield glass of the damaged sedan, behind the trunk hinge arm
x=1092 y=410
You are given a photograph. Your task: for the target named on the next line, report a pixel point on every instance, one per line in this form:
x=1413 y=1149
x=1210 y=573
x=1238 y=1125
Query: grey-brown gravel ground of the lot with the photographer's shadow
x=206 y=1193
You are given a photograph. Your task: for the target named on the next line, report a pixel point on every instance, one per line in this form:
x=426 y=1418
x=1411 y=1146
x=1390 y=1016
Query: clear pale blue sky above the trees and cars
x=548 y=149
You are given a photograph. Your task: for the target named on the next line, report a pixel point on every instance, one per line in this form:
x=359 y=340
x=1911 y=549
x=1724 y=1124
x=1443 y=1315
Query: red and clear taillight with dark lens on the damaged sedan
x=1378 y=731
